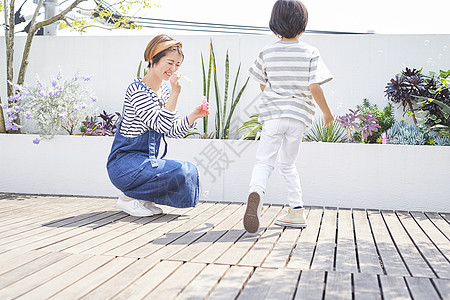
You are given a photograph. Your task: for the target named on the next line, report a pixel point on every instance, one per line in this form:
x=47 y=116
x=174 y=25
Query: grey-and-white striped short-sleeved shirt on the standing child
x=287 y=69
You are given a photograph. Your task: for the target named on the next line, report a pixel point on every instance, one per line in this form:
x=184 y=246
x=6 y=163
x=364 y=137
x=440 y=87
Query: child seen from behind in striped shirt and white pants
x=290 y=74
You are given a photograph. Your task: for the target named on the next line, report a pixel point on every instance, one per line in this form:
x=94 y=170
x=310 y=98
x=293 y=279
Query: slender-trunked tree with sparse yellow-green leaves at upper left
x=101 y=14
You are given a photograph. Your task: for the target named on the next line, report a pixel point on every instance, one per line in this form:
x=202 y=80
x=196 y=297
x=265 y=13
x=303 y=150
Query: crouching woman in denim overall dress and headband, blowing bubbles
x=149 y=113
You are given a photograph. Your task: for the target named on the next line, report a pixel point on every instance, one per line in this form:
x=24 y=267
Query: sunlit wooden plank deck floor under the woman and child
x=72 y=247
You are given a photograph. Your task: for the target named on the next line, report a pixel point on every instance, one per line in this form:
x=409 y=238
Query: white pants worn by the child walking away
x=283 y=137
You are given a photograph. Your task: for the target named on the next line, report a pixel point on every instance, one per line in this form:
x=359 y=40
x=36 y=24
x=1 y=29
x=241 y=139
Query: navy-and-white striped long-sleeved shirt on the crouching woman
x=143 y=110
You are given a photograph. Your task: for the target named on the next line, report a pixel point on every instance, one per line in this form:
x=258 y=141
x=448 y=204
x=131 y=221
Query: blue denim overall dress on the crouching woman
x=134 y=169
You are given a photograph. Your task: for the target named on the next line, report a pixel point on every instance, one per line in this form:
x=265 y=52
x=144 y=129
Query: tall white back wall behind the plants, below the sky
x=361 y=64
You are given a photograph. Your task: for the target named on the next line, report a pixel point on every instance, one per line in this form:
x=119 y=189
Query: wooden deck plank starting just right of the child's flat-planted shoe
x=304 y=250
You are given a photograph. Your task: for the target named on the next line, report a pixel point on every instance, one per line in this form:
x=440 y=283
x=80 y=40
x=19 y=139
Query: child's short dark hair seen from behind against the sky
x=289 y=18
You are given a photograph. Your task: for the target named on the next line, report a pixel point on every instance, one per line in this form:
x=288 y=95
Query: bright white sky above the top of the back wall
x=381 y=16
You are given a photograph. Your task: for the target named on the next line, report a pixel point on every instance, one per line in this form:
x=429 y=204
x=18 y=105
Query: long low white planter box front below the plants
x=338 y=175
